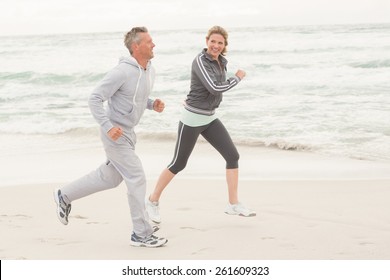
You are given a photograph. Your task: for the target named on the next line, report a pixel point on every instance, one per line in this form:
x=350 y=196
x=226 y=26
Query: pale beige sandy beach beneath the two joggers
x=309 y=206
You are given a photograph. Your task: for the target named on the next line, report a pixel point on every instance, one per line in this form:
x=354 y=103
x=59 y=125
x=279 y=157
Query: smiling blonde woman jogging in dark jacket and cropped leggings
x=208 y=83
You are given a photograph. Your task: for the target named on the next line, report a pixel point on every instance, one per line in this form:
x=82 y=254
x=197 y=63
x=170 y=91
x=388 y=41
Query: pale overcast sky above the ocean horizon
x=18 y=17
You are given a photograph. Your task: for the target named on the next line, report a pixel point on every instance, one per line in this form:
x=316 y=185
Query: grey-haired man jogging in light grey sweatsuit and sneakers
x=126 y=89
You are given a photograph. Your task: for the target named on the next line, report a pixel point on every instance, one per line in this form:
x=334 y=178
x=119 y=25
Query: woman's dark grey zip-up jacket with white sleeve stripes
x=208 y=82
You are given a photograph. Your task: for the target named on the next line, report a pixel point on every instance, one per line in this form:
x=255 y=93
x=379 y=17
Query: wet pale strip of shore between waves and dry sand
x=62 y=159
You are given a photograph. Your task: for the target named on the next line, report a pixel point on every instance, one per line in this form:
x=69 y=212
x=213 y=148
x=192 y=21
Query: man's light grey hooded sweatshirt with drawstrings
x=126 y=88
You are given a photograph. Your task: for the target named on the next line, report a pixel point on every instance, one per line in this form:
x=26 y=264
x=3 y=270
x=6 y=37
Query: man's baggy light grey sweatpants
x=122 y=164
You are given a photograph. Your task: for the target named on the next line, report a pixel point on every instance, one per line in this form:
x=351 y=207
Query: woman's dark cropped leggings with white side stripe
x=215 y=133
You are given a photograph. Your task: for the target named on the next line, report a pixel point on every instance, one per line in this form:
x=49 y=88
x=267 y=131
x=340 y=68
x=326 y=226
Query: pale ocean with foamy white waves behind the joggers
x=322 y=89
